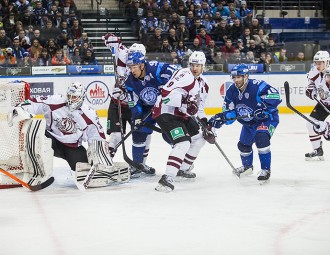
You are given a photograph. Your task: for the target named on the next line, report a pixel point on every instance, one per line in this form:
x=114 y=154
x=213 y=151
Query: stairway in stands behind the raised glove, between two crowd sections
x=97 y=25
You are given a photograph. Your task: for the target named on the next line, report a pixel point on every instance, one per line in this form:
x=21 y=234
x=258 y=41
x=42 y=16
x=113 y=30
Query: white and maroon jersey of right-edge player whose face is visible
x=317 y=79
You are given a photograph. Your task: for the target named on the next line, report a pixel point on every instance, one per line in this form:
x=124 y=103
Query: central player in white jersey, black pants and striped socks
x=182 y=97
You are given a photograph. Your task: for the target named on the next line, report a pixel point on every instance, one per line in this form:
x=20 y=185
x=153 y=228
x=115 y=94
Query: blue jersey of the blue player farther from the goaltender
x=257 y=94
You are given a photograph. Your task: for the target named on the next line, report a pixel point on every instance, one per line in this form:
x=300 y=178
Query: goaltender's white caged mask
x=76 y=94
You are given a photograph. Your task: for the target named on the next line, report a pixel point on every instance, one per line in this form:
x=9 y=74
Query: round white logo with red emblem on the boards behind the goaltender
x=97 y=93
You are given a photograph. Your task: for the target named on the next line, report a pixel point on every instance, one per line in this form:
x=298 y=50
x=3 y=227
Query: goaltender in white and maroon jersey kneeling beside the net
x=69 y=122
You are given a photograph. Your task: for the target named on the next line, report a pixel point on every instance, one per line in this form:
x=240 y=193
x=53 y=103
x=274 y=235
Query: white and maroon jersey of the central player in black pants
x=182 y=85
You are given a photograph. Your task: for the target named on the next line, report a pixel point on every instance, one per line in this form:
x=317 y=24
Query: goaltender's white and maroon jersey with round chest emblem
x=70 y=128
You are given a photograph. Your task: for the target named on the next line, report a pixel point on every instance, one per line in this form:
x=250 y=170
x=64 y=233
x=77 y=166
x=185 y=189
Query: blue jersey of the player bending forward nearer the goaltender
x=143 y=93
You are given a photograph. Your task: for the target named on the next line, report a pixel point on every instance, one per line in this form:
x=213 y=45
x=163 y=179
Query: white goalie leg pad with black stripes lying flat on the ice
x=104 y=175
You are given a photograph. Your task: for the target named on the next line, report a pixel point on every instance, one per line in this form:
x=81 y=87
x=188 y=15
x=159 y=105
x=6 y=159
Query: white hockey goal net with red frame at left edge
x=11 y=140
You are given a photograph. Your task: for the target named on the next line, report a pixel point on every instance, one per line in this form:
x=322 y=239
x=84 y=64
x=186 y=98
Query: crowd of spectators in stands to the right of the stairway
x=225 y=30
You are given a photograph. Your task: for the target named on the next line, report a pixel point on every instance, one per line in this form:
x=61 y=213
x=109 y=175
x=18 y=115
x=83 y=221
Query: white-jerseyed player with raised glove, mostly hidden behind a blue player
x=119 y=92
